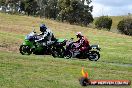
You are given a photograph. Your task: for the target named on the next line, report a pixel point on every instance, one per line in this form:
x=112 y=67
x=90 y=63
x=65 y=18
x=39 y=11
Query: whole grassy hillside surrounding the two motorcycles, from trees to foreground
x=17 y=71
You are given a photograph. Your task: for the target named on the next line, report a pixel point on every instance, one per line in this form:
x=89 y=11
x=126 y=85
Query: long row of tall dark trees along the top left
x=72 y=11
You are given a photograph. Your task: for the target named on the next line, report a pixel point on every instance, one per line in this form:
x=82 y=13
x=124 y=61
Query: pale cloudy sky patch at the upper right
x=111 y=7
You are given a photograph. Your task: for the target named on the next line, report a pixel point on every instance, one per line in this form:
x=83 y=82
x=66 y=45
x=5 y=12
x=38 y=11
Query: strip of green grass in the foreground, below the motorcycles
x=45 y=72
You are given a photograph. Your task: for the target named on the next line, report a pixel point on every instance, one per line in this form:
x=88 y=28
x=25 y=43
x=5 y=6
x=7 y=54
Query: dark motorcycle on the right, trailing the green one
x=72 y=51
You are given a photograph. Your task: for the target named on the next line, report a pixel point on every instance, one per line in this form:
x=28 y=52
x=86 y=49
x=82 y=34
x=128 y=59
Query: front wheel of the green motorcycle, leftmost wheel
x=25 y=50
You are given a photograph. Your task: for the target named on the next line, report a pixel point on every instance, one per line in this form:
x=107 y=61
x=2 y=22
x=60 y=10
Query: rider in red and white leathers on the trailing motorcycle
x=83 y=43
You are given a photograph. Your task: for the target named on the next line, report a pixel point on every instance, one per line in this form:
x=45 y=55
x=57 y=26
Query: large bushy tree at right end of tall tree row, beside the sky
x=75 y=11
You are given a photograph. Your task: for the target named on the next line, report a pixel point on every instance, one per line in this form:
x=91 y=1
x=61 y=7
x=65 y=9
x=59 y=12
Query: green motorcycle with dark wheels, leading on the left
x=29 y=46
